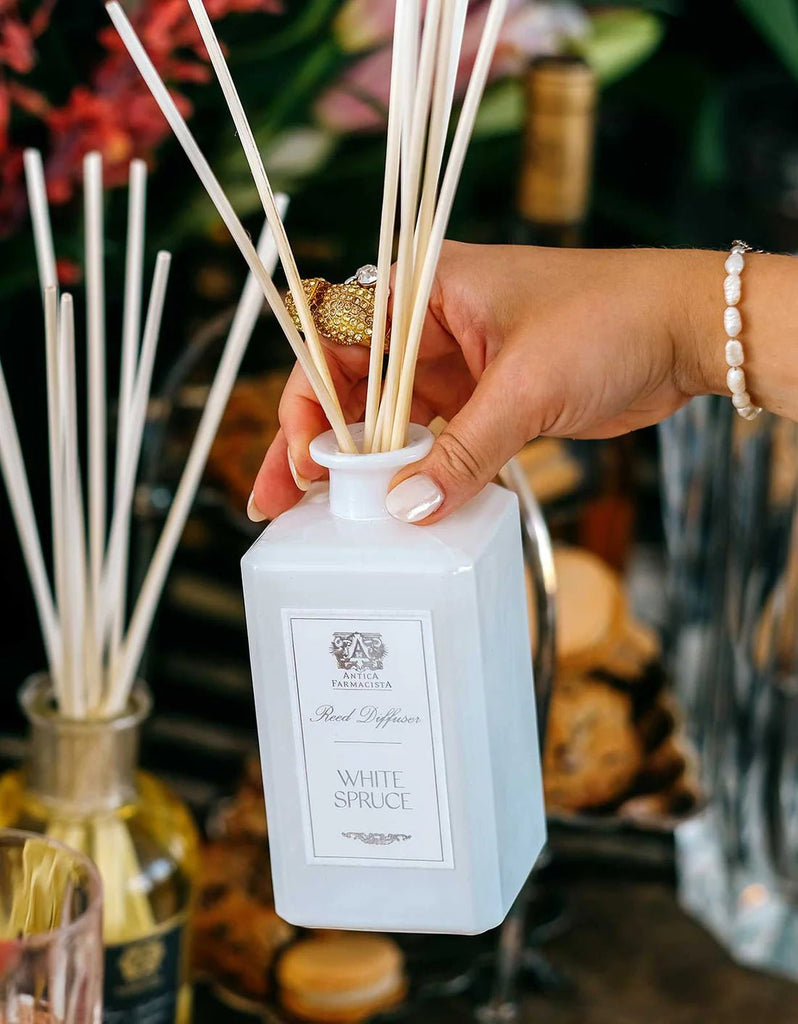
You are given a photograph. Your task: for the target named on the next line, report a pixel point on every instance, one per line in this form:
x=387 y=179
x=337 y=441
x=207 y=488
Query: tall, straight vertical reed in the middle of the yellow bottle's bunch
x=96 y=324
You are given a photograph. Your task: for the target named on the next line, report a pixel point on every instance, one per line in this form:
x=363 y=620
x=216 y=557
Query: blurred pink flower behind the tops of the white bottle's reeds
x=359 y=101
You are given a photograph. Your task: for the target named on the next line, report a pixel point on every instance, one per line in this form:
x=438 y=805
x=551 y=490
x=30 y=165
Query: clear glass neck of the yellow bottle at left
x=82 y=767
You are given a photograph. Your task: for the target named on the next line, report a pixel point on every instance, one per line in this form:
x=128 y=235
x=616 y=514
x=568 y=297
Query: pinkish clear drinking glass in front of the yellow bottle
x=51 y=933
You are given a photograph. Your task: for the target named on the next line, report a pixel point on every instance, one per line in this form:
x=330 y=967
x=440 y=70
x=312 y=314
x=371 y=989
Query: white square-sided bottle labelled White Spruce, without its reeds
x=396 y=706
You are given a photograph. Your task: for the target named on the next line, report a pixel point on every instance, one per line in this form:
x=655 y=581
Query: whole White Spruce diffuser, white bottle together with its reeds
x=391 y=663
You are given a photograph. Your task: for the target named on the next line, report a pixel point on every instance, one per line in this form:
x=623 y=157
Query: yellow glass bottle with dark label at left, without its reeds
x=82 y=786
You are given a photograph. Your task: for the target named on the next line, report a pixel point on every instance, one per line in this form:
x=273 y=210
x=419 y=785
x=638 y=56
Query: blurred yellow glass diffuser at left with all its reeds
x=81 y=783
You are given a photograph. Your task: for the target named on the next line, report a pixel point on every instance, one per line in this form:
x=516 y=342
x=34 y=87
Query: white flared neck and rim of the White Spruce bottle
x=359 y=484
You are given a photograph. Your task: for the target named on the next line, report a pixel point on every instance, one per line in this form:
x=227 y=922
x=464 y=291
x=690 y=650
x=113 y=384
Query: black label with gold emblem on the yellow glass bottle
x=143 y=979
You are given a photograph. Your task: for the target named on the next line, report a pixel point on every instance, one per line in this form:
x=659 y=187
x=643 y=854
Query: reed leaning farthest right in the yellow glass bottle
x=241 y=330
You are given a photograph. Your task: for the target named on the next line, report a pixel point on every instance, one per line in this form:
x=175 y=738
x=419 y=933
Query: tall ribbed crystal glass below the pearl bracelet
x=731 y=497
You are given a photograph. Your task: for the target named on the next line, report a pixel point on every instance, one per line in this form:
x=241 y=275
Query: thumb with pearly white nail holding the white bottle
x=486 y=434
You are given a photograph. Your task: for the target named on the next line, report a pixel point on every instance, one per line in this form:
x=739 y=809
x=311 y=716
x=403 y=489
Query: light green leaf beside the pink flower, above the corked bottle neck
x=619 y=41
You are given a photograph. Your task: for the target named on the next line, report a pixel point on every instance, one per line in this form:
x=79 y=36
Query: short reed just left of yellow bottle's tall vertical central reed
x=74 y=612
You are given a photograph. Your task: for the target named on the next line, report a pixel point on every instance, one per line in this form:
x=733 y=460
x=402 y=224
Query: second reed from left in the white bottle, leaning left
x=259 y=172
